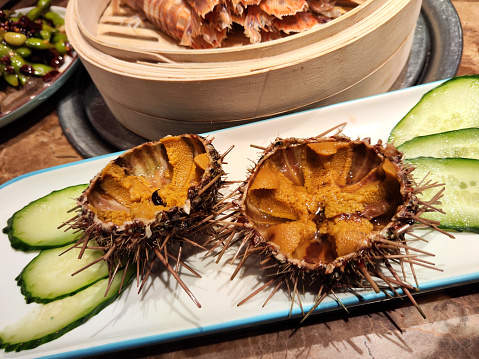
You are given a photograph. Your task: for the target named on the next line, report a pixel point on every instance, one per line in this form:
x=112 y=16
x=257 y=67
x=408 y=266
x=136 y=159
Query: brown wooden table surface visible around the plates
x=388 y=330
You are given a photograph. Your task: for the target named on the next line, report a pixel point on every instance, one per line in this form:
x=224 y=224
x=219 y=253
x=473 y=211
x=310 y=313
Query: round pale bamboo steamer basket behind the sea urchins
x=153 y=98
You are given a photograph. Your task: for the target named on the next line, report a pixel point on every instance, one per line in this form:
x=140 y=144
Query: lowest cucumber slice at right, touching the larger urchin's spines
x=461 y=196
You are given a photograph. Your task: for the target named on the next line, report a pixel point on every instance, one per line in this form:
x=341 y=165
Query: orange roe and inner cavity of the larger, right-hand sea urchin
x=315 y=202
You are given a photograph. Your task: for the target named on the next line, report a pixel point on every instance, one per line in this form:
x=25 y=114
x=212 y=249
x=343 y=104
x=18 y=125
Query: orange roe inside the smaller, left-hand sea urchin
x=134 y=192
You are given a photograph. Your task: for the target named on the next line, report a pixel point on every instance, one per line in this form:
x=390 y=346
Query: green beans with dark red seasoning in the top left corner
x=33 y=47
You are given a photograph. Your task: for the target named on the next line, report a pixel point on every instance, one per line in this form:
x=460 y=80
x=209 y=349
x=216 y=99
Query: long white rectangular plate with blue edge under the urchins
x=164 y=312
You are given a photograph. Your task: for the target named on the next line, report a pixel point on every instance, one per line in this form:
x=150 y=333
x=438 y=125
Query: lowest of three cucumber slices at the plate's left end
x=47 y=322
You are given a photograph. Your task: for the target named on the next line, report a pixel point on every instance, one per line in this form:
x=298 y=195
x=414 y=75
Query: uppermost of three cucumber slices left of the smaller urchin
x=35 y=226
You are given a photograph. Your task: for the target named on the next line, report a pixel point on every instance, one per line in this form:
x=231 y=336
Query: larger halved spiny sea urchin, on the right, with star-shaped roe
x=330 y=210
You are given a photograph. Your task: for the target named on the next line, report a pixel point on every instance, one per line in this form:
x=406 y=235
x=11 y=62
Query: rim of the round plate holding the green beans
x=29 y=103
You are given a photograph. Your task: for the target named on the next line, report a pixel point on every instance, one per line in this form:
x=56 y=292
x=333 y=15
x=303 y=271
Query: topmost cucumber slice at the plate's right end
x=450 y=106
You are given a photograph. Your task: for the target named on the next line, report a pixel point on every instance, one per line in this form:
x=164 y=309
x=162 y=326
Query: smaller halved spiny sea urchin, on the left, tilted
x=147 y=199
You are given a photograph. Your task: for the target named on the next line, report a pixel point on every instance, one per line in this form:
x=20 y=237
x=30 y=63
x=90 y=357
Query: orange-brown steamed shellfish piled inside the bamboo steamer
x=206 y=24
